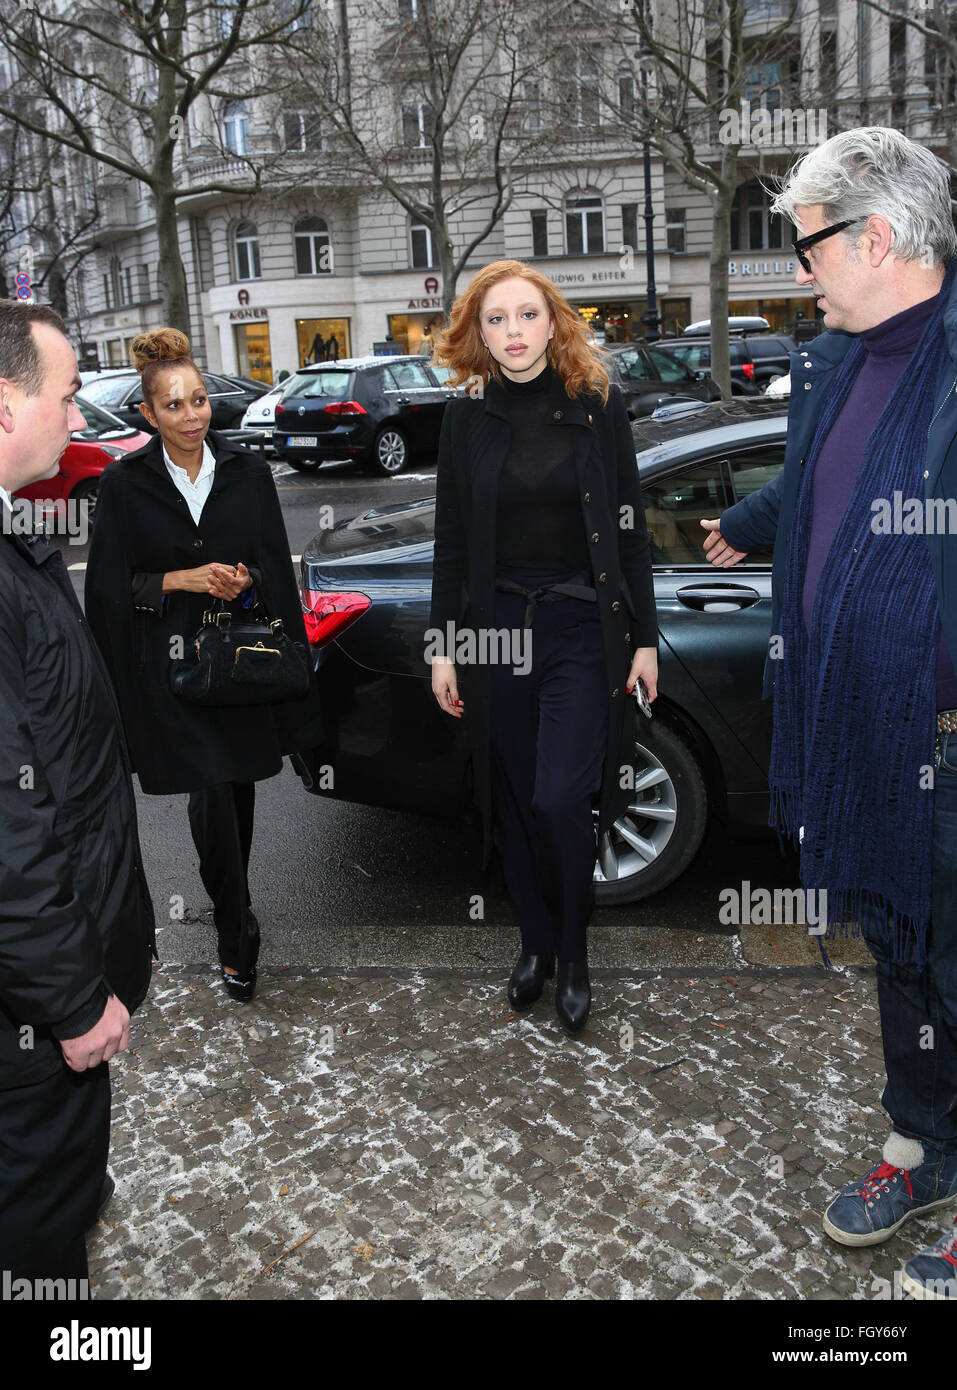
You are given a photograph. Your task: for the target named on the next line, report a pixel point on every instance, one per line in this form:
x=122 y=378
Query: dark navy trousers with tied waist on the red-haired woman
x=549 y=735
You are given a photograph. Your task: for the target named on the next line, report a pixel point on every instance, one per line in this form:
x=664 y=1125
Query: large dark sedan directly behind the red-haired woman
x=367 y=591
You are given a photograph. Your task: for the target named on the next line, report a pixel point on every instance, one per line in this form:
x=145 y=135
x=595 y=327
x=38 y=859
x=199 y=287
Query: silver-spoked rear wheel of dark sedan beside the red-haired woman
x=660 y=835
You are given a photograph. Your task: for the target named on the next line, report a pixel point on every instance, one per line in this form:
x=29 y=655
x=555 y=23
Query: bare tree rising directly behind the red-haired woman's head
x=433 y=102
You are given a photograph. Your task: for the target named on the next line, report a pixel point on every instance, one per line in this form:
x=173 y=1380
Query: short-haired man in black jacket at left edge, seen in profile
x=76 y=918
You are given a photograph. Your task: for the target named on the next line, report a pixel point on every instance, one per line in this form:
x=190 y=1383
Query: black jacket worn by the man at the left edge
x=76 y=914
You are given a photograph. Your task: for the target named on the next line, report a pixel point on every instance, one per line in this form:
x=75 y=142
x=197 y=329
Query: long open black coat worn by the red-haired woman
x=474 y=445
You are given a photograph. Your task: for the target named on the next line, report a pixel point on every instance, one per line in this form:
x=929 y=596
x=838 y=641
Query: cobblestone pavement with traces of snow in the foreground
x=408 y=1136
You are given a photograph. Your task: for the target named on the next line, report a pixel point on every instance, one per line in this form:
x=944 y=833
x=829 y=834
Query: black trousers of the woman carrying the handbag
x=222 y=822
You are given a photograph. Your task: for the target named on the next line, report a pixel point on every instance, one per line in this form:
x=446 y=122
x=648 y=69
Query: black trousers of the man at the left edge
x=55 y=1140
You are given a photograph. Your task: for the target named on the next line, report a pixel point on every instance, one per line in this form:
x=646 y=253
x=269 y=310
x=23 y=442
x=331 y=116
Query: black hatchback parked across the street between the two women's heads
x=378 y=411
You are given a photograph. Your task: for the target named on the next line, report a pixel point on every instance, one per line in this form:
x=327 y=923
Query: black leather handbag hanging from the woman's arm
x=243 y=662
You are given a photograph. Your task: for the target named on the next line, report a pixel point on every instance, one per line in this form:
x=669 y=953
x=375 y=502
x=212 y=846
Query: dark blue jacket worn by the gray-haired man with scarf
x=767 y=516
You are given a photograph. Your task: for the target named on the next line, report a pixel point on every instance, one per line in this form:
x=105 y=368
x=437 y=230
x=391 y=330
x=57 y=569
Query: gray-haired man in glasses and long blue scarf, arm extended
x=864 y=636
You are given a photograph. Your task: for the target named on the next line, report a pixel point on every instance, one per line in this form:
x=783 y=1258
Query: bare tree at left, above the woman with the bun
x=118 y=85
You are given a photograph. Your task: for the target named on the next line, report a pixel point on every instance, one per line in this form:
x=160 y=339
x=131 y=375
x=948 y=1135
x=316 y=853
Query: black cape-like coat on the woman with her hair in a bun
x=144 y=529
